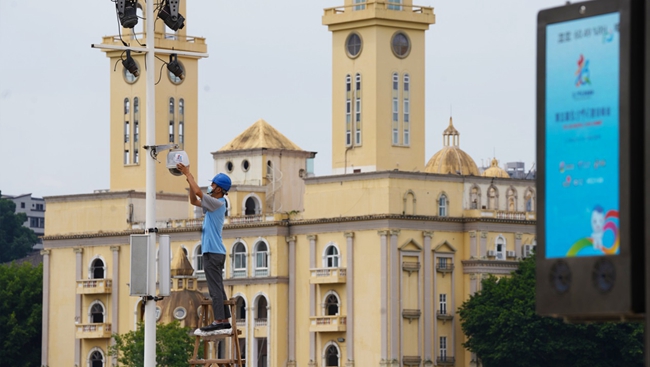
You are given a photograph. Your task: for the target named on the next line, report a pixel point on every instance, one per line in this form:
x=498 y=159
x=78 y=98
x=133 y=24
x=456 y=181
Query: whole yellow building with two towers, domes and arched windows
x=363 y=267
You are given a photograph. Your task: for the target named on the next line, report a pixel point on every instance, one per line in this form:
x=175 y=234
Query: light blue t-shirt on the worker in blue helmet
x=215 y=213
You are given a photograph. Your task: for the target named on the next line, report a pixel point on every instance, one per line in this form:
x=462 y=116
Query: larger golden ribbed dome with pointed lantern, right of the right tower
x=451 y=159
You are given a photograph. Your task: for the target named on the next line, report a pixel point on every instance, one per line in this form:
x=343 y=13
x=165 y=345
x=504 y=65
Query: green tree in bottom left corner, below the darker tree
x=21 y=299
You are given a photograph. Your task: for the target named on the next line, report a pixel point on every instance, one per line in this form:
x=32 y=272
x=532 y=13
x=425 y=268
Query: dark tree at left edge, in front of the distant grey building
x=16 y=241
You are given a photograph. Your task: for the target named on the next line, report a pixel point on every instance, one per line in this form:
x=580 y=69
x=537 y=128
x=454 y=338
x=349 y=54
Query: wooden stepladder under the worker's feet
x=210 y=359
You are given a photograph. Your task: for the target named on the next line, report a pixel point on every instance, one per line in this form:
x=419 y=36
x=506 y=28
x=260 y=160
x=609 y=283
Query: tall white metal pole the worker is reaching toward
x=150 y=124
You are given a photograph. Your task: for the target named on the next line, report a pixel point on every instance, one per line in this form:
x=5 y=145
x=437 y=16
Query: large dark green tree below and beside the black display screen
x=503 y=329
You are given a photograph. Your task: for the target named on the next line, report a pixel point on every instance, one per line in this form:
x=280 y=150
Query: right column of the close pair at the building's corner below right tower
x=395 y=297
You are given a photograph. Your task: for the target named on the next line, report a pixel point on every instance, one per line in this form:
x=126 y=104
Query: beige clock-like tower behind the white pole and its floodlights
x=176 y=106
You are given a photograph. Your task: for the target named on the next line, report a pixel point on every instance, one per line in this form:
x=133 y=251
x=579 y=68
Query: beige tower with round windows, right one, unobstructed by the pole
x=378 y=85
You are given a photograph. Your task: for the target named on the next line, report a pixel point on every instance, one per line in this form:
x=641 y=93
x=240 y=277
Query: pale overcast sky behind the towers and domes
x=268 y=59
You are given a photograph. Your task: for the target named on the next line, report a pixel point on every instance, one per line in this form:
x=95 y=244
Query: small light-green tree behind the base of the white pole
x=174 y=346
